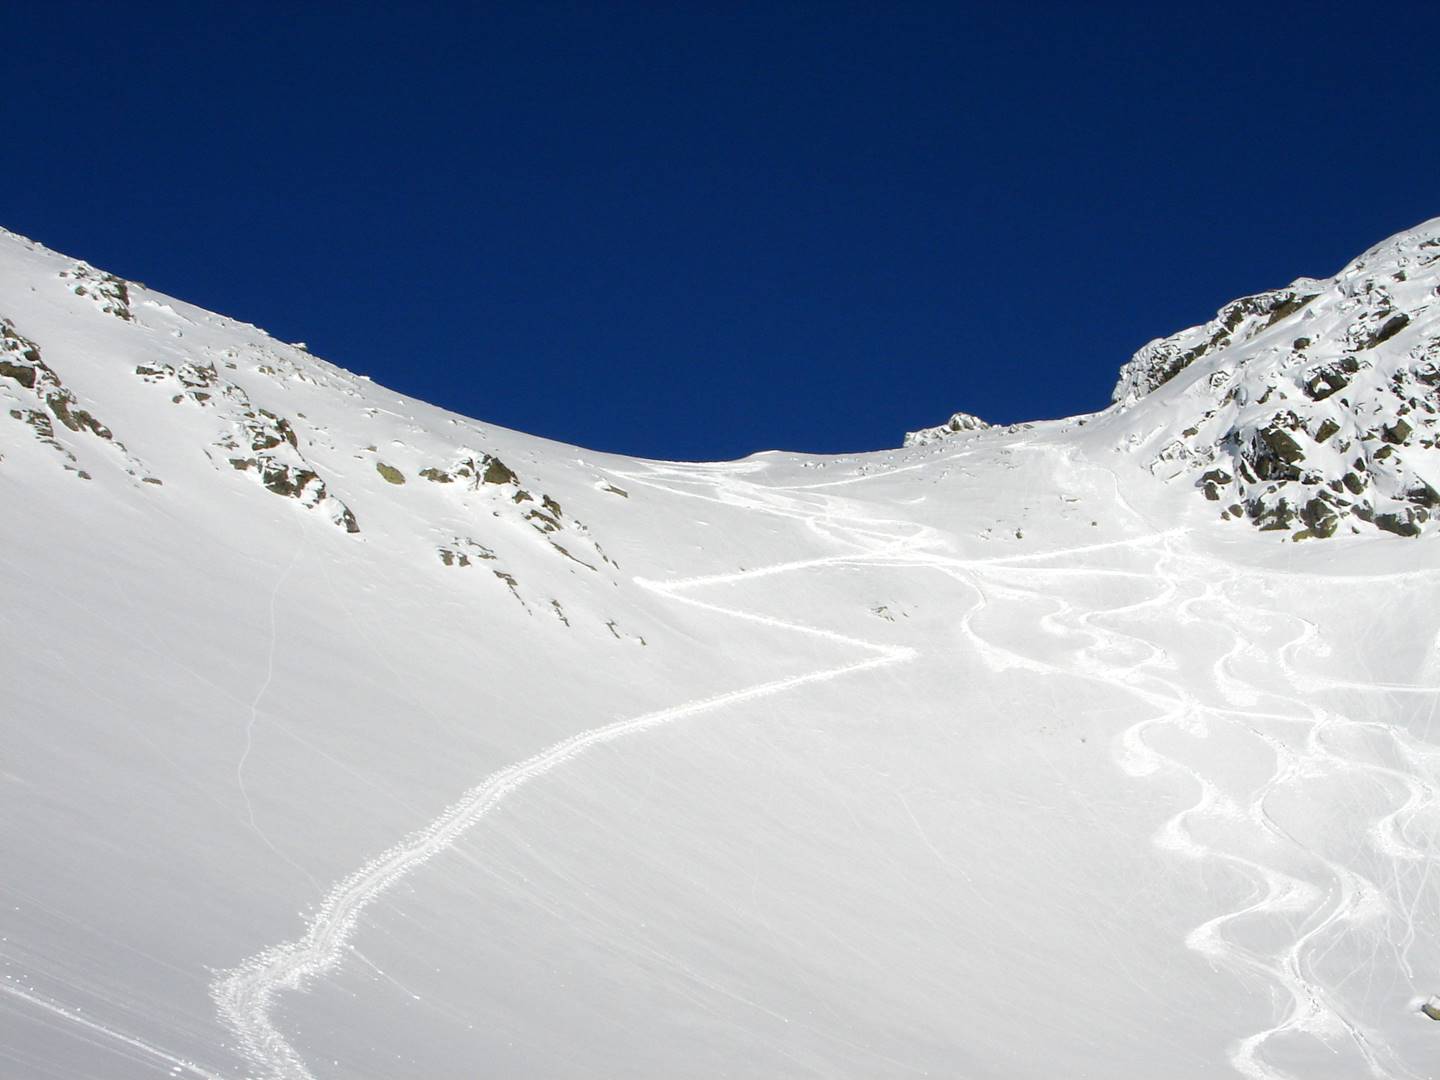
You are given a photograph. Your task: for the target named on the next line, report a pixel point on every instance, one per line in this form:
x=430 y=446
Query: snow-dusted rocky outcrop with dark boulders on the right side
x=1311 y=410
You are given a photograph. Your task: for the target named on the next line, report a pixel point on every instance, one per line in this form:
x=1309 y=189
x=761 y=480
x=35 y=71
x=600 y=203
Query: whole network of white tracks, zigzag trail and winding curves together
x=246 y=996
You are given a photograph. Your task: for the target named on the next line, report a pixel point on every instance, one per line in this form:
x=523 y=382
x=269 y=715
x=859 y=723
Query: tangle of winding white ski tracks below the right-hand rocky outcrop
x=1349 y=901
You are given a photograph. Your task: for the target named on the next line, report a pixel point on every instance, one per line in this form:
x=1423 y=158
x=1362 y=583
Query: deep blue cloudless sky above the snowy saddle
x=696 y=231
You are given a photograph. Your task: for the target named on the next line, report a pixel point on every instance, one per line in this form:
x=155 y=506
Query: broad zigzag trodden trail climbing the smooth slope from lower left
x=246 y=996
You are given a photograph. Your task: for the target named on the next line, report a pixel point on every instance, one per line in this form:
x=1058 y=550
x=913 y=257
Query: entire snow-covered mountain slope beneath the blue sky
x=351 y=738
